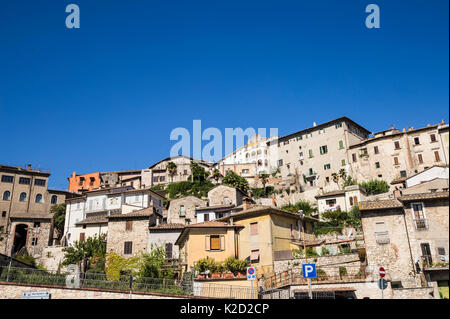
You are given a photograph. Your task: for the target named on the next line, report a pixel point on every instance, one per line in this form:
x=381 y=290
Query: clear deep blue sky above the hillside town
x=106 y=96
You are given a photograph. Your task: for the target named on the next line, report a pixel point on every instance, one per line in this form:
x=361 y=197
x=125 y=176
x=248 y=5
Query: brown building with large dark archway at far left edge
x=25 y=201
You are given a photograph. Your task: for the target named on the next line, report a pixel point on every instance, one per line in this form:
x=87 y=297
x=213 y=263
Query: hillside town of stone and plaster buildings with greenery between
x=335 y=194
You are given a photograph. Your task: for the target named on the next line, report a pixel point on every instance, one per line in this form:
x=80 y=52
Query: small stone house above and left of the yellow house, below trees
x=182 y=210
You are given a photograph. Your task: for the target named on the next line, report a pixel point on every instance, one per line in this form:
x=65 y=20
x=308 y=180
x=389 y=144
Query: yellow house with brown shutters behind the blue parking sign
x=257 y=234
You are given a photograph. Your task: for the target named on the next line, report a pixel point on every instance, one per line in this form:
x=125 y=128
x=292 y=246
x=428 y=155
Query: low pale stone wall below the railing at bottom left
x=14 y=291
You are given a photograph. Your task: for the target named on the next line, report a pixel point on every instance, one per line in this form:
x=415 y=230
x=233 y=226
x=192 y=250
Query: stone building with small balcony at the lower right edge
x=409 y=237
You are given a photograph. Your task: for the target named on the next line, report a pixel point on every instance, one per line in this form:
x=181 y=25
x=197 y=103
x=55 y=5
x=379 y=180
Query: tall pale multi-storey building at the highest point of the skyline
x=307 y=158
